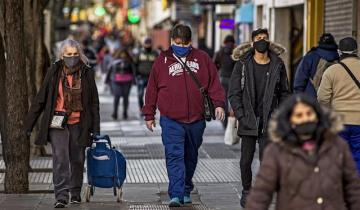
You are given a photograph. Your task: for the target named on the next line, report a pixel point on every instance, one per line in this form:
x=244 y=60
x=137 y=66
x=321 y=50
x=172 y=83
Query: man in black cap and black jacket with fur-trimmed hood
x=257 y=85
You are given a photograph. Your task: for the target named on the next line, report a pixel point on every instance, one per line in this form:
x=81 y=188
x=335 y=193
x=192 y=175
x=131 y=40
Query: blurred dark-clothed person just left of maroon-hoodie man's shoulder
x=144 y=62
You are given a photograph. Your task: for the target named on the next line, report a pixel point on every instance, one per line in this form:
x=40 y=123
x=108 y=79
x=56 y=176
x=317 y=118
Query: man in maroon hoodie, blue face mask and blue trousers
x=172 y=90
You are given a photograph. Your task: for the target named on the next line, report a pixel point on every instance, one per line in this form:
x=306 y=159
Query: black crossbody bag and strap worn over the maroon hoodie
x=209 y=109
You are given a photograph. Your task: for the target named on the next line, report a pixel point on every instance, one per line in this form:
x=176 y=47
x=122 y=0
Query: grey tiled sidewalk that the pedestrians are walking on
x=217 y=179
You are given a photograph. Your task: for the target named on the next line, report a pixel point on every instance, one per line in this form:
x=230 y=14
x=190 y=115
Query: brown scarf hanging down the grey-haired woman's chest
x=72 y=95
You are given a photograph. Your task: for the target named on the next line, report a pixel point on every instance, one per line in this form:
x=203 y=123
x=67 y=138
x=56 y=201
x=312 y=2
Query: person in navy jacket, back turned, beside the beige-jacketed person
x=312 y=66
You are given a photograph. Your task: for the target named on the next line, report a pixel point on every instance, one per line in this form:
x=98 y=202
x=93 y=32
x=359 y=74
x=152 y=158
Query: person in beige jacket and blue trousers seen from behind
x=340 y=90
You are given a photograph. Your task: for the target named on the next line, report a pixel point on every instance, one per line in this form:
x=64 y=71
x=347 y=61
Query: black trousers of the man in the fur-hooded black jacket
x=248 y=147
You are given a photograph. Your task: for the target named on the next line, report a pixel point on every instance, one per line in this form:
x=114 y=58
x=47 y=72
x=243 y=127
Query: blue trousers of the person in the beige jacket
x=352 y=135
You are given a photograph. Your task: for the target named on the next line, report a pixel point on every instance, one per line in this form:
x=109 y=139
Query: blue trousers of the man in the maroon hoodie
x=182 y=142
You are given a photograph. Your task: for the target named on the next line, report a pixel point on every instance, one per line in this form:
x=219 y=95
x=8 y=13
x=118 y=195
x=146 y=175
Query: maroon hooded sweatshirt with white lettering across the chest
x=172 y=90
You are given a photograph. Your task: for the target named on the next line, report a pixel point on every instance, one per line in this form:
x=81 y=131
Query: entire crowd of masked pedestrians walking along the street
x=309 y=140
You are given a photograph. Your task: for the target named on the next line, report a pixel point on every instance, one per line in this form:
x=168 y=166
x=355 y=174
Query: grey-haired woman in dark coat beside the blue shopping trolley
x=69 y=102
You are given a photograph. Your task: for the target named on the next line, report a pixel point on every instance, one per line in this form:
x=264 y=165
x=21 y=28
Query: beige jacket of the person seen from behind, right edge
x=338 y=91
